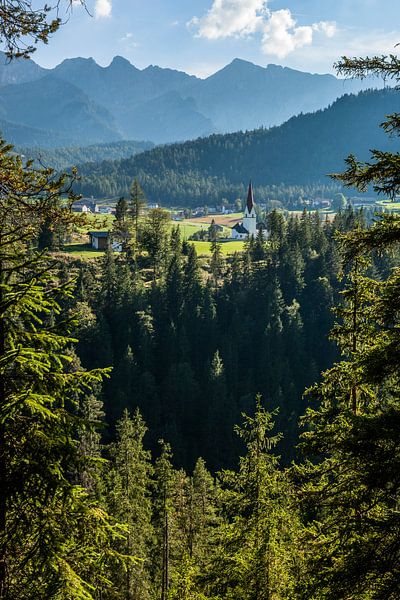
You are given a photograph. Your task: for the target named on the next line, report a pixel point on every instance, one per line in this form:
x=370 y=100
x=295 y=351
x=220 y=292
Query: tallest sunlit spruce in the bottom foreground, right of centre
x=255 y=557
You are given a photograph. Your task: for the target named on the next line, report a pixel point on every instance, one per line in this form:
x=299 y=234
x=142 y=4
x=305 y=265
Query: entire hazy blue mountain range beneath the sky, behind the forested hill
x=81 y=103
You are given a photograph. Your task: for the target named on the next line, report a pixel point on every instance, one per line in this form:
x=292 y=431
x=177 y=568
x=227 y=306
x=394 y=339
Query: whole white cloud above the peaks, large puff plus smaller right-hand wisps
x=281 y=34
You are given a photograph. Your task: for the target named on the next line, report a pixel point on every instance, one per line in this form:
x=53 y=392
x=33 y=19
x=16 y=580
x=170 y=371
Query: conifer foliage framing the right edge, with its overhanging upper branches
x=351 y=491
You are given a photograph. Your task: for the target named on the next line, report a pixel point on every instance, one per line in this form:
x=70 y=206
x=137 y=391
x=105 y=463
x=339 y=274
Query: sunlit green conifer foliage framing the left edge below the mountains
x=54 y=535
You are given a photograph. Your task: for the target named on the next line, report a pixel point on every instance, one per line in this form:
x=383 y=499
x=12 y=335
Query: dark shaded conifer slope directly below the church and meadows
x=193 y=350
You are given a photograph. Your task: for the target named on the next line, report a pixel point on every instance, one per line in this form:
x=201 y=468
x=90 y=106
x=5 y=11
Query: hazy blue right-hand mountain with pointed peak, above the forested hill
x=245 y=96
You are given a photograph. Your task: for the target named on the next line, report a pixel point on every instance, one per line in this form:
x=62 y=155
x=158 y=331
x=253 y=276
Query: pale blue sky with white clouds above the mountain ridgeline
x=201 y=36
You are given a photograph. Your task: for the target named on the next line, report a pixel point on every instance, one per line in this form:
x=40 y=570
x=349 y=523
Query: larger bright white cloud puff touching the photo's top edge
x=228 y=18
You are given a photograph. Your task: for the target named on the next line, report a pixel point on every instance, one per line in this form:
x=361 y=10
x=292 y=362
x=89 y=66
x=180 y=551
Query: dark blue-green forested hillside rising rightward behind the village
x=300 y=152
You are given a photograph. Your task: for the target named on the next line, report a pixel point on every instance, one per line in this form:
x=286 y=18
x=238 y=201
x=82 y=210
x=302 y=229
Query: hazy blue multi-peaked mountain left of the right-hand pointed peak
x=145 y=104
